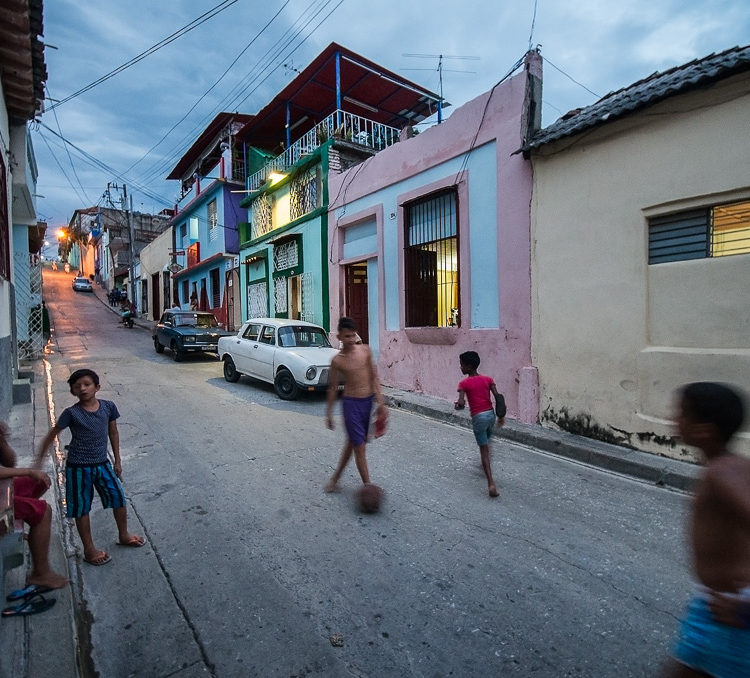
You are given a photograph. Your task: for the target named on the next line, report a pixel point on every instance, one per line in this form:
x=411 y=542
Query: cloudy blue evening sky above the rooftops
x=133 y=127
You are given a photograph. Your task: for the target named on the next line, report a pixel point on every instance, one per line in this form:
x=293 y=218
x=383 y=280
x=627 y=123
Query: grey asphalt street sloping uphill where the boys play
x=251 y=570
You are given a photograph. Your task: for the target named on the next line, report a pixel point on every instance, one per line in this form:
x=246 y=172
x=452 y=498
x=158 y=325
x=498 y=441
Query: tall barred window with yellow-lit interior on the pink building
x=431 y=261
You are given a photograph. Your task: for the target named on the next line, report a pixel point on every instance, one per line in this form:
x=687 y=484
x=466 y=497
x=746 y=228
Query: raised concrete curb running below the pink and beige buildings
x=651 y=468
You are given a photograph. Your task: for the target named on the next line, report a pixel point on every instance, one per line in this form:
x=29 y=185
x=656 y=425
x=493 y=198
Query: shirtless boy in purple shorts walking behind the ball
x=354 y=366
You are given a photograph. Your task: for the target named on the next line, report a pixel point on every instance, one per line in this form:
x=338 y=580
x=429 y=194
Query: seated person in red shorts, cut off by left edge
x=29 y=484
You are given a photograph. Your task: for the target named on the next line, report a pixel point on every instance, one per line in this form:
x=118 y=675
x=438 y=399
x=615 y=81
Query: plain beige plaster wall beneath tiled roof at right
x=612 y=336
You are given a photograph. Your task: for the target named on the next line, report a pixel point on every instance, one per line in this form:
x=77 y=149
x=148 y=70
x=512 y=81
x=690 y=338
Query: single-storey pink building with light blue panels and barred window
x=430 y=247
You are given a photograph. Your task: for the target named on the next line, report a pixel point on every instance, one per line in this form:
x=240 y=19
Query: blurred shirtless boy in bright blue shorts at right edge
x=714 y=637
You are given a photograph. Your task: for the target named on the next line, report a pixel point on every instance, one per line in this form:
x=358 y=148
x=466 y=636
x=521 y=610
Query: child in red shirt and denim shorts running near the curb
x=476 y=388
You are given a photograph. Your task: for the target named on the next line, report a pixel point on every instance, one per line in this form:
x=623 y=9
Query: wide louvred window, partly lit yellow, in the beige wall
x=718 y=231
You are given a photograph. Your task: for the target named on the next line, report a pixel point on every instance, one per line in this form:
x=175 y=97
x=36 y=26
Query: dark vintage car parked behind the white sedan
x=187 y=332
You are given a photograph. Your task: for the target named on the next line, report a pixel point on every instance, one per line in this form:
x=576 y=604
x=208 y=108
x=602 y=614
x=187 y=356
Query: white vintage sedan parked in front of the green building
x=293 y=355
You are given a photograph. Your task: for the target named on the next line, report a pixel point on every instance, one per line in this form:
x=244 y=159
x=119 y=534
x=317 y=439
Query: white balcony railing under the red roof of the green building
x=339 y=124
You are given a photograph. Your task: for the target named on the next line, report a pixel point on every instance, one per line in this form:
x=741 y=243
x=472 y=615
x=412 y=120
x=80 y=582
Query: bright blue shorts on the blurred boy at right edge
x=705 y=645
